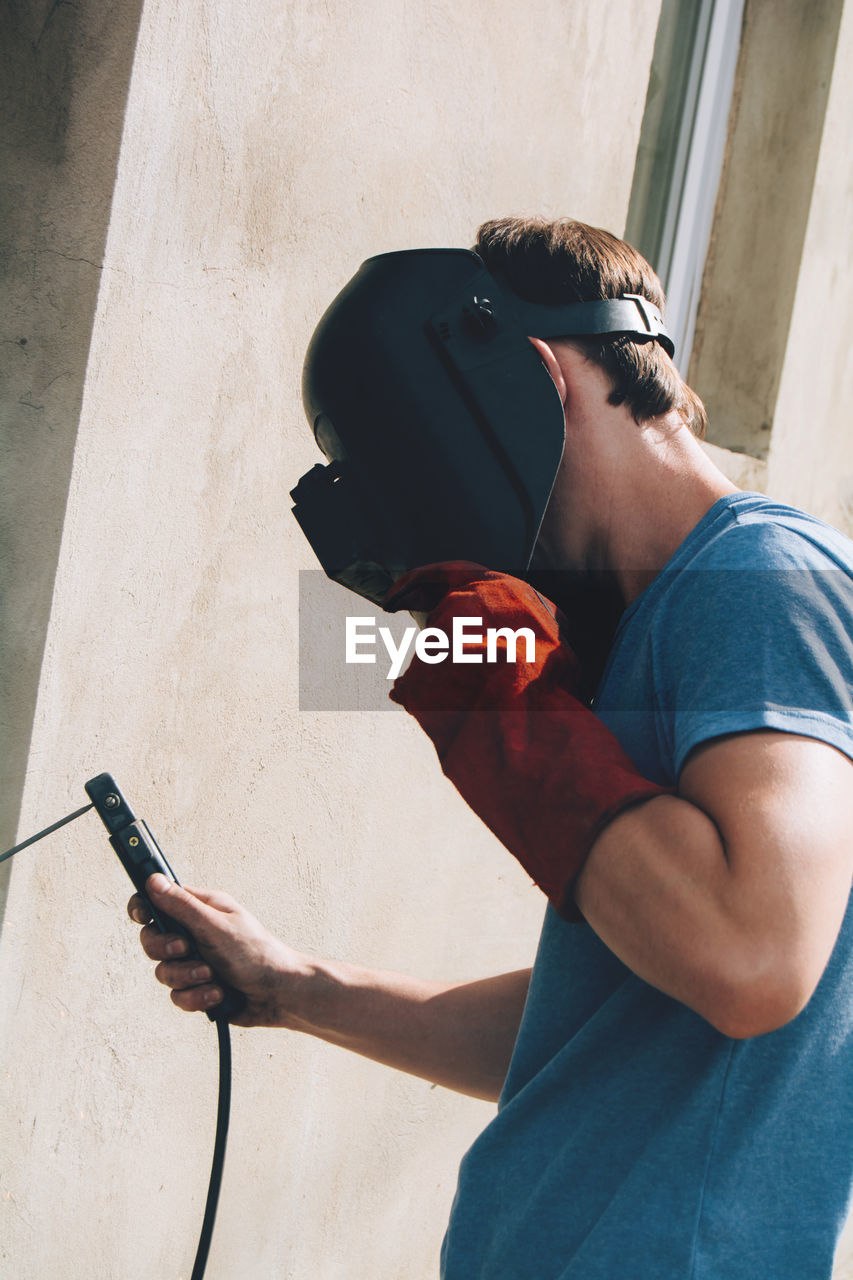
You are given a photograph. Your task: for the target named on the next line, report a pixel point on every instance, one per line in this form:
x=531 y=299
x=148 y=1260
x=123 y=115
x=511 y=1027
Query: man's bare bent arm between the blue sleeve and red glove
x=731 y=895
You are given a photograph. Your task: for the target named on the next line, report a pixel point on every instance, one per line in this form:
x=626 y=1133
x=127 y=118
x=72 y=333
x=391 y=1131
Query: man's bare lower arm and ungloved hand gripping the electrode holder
x=455 y=1035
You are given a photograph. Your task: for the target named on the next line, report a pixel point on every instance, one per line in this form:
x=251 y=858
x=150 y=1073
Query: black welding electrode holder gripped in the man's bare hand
x=142 y=857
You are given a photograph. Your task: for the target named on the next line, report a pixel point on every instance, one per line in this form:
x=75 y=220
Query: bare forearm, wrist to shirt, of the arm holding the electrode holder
x=455 y=1035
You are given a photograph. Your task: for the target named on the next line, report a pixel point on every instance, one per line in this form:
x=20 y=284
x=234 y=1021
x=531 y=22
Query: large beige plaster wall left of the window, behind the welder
x=266 y=152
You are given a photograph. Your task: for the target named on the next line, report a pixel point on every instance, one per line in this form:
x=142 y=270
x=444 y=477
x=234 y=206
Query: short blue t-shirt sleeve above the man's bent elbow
x=760 y=641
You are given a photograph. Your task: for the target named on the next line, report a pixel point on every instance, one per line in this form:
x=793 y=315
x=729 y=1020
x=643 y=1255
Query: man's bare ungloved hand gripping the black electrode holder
x=231 y=943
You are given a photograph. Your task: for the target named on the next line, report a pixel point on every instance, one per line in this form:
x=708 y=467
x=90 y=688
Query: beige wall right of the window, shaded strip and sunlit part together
x=773 y=354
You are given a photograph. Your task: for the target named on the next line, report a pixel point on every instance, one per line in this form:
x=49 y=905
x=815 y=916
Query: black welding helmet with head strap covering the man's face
x=443 y=428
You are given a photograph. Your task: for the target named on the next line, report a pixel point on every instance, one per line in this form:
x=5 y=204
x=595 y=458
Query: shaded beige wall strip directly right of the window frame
x=751 y=281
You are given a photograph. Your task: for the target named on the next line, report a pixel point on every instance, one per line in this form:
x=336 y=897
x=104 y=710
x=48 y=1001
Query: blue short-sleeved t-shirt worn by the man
x=633 y=1141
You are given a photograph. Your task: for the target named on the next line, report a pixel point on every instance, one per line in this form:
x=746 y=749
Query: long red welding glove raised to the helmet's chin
x=537 y=766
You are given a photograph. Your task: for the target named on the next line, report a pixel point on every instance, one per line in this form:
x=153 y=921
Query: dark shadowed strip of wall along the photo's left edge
x=65 y=76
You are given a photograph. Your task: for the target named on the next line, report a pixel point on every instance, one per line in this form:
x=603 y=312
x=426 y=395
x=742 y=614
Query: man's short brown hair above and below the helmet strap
x=568 y=262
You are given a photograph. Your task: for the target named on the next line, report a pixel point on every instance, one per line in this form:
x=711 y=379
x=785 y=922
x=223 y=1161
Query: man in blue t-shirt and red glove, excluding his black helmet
x=676 y=1077
